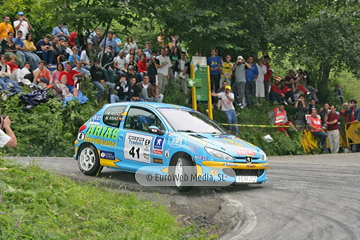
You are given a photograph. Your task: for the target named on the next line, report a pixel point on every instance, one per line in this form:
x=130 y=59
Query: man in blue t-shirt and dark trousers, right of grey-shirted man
x=251 y=76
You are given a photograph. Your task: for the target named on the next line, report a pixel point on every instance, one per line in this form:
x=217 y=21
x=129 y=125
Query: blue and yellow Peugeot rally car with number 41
x=129 y=136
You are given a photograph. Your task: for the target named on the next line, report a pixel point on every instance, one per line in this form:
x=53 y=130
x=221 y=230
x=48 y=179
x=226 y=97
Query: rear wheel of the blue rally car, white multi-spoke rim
x=88 y=160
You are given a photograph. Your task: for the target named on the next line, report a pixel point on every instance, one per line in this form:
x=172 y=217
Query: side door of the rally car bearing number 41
x=142 y=148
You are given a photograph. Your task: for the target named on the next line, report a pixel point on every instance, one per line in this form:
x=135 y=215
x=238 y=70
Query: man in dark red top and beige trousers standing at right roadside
x=332 y=126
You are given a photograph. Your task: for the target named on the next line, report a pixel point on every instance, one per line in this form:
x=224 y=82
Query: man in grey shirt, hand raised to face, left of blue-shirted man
x=240 y=80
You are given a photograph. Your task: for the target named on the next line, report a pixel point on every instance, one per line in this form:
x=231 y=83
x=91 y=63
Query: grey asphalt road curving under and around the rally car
x=306 y=197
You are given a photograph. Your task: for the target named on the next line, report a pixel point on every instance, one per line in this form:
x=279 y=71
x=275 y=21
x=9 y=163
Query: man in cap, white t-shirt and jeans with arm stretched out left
x=227 y=99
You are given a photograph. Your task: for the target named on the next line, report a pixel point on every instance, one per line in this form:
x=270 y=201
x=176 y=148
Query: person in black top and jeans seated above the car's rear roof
x=98 y=79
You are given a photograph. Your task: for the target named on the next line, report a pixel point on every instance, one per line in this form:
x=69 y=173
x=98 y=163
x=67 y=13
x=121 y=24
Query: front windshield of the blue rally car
x=188 y=120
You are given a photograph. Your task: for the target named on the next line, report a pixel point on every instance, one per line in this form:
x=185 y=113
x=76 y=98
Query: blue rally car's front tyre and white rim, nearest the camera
x=181 y=168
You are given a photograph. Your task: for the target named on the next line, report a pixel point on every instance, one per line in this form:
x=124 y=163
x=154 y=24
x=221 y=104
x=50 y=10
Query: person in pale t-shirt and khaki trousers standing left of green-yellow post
x=163 y=70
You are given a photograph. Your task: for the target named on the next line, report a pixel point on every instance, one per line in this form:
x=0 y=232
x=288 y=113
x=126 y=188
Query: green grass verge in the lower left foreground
x=37 y=204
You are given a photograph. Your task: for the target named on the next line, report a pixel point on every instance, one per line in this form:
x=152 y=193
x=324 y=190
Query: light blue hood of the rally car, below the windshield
x=230 y=144
